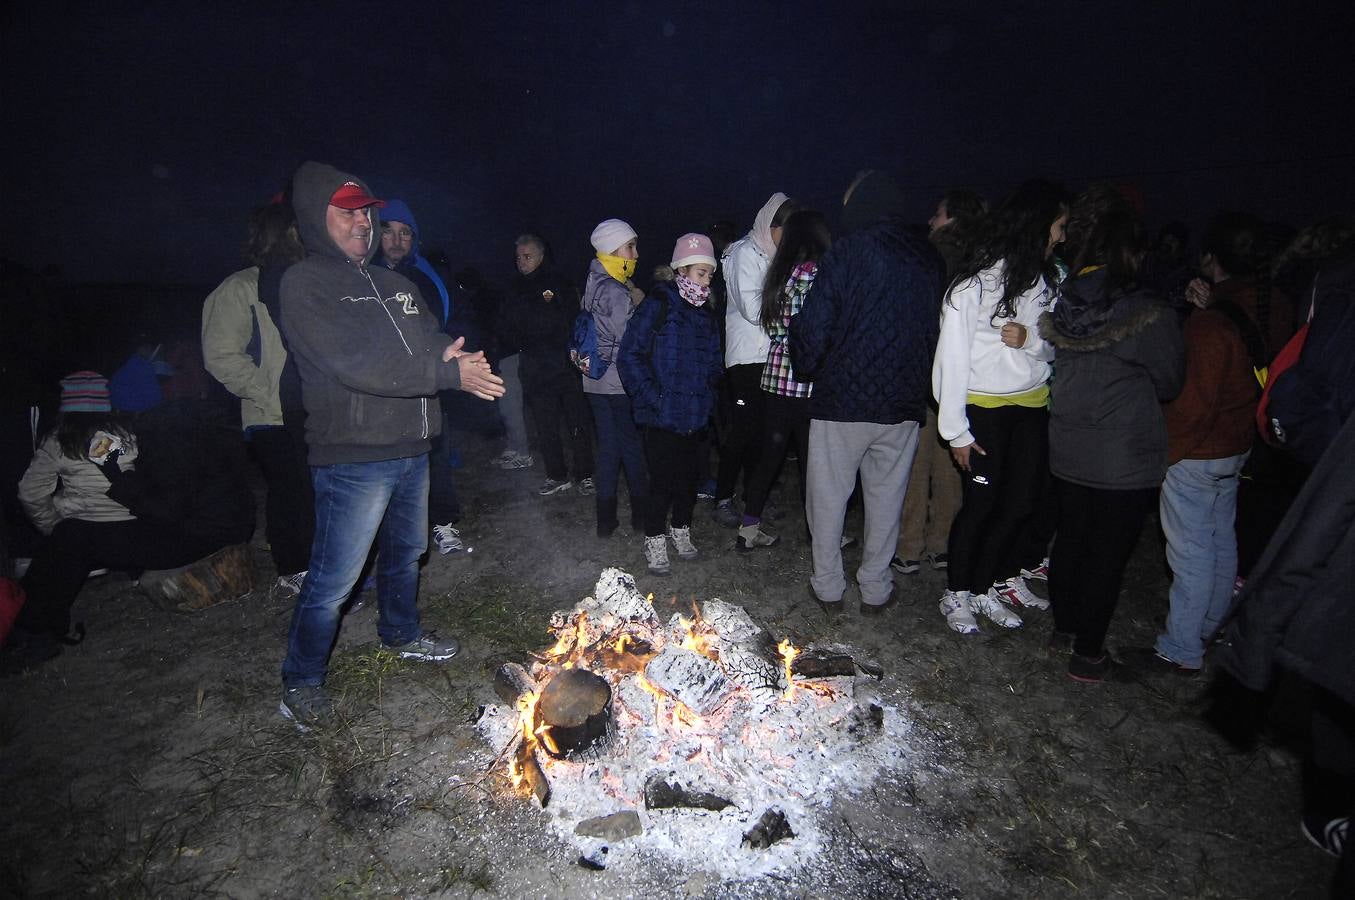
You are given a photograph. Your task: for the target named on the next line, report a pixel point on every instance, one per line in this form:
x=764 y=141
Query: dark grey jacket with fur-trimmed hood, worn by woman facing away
x=1117 y=361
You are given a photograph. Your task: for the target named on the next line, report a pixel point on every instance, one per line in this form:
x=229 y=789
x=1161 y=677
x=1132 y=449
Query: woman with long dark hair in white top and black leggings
x=991 y=383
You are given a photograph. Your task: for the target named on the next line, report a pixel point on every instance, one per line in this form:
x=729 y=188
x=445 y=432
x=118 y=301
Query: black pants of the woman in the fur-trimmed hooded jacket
x=1098 y=531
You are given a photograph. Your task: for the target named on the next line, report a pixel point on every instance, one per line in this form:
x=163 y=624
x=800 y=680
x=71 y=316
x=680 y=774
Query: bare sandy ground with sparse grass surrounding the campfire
x=151 y=760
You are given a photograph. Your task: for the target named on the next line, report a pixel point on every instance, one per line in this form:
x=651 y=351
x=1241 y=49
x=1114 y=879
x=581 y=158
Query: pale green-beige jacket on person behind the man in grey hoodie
x=242 y=348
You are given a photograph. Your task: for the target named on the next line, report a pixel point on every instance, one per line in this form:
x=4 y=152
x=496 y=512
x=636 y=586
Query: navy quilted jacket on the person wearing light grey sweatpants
x=868 y=331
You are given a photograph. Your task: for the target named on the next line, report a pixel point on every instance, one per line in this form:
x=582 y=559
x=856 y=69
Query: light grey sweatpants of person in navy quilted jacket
x=884 y=456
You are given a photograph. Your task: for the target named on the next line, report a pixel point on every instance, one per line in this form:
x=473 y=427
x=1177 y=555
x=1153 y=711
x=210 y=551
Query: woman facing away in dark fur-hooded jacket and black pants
x=1120 y=359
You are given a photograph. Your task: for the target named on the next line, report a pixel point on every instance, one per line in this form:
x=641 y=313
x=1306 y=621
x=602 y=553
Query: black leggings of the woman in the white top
x=998 y=495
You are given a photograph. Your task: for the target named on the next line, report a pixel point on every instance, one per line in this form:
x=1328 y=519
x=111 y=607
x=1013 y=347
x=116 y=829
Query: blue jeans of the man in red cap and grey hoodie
x=357 y=504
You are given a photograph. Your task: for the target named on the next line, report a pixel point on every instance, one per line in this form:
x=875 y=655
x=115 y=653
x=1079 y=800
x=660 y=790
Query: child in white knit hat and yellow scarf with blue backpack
x=609 y=296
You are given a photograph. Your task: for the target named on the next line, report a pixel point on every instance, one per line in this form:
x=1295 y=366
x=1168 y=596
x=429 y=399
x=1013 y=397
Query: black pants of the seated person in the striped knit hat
x=75 y=547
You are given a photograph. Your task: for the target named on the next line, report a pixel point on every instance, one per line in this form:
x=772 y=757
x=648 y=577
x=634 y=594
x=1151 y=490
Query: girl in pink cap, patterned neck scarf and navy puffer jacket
x=670 y=363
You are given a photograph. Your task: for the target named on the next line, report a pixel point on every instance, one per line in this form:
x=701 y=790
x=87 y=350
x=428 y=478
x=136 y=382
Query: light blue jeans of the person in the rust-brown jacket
x=1198 y=508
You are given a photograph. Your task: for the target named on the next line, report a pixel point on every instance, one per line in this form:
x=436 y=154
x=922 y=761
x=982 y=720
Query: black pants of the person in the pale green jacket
x=291 y=510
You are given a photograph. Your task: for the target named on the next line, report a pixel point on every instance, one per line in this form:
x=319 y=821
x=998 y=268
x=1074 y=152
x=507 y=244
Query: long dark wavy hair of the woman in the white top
x=1017 y=232
